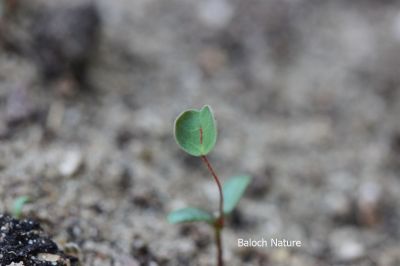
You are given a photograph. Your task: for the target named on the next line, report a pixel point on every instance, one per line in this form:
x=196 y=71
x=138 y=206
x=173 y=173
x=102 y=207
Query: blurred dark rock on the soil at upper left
x=64 y=39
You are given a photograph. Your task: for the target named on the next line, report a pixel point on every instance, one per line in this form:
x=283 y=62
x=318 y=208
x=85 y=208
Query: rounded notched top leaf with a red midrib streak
x=196 y=131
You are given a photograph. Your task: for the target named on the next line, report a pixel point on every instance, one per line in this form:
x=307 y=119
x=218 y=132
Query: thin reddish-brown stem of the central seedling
x=219 y=224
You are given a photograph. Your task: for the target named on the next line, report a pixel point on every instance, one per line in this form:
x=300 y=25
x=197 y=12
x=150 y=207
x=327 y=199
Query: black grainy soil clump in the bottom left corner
x=23 y=241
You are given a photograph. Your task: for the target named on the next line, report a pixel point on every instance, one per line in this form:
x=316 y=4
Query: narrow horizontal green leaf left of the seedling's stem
x=189 y=215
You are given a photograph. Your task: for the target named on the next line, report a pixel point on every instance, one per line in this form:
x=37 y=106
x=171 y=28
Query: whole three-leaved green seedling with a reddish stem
x=195 y=132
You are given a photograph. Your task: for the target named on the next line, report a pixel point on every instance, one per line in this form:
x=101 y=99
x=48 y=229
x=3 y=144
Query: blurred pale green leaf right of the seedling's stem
x=233 y=190
